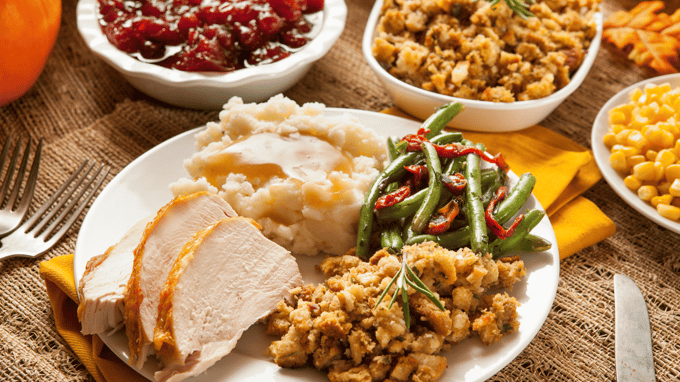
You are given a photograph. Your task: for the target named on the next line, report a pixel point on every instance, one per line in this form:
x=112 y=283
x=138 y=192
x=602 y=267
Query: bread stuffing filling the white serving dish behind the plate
x=471 y=49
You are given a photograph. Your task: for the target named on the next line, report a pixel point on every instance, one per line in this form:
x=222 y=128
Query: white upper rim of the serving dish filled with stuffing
x=559 y=95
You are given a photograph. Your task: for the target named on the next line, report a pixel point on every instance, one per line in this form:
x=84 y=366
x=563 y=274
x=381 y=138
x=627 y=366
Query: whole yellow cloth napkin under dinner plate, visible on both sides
x=563 y=171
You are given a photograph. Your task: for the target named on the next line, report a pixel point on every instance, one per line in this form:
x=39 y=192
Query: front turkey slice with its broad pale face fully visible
x=225 y=279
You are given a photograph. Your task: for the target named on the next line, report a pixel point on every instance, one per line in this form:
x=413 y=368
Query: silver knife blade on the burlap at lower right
x=634 y=360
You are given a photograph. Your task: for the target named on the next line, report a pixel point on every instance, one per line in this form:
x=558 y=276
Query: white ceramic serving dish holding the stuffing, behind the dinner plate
x=477 y=115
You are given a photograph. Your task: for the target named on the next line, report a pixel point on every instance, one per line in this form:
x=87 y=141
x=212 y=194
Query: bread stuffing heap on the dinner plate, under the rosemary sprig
x=336 y=326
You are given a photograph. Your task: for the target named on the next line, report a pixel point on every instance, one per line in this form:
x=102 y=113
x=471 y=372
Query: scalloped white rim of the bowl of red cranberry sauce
x=334 y=17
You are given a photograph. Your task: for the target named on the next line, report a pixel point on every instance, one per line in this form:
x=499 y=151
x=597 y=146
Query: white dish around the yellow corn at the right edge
x=602 y=153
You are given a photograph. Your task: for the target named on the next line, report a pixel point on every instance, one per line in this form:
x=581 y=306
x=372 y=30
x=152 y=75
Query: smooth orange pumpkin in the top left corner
x=28 y=29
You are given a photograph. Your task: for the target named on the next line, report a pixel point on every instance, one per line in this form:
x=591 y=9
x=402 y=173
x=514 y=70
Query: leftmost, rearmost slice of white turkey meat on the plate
x=102 y=287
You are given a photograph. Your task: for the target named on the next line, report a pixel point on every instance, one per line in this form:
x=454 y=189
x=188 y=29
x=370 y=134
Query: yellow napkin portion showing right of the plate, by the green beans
x=563 y=170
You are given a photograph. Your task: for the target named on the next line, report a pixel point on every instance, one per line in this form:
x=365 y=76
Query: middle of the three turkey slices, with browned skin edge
x=158 y=248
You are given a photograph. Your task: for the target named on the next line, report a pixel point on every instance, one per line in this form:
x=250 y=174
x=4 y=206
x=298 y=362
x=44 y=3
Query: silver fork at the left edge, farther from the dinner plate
x=15 y=208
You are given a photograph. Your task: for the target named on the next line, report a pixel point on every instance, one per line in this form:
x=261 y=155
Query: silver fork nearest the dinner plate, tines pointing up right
x=42 y=230
